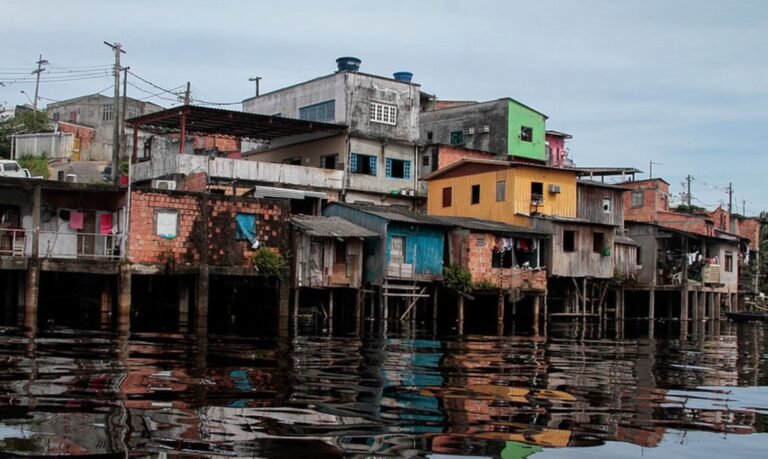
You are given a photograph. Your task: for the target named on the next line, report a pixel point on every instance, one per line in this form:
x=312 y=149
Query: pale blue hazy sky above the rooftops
x=681 y=83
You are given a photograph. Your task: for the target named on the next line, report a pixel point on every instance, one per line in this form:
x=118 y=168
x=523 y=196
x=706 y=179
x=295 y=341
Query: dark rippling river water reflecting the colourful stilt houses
x=577 y=392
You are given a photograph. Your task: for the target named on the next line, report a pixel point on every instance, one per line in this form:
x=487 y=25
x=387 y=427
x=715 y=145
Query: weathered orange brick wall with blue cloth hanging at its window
x=186 y=249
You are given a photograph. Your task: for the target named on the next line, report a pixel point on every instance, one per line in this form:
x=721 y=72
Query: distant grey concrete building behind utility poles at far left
x=97 y=111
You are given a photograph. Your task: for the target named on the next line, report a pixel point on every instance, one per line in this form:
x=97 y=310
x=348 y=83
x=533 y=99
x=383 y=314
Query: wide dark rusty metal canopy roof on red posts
x=206 y=121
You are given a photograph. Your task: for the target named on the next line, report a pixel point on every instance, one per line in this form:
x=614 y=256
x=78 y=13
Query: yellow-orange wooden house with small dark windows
x=503 y=191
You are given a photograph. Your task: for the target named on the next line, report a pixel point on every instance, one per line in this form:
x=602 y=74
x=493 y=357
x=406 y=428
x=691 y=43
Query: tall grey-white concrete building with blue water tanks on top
x=378 y=153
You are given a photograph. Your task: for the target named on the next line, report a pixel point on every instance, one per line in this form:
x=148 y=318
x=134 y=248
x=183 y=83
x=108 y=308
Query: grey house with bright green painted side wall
x=503 y=127
